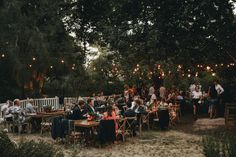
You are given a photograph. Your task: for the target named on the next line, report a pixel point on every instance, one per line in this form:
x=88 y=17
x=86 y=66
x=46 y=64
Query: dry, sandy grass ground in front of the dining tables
x=184 y=140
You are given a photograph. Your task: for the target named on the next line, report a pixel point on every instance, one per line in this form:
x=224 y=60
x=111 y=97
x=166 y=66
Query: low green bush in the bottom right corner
x=216 y=147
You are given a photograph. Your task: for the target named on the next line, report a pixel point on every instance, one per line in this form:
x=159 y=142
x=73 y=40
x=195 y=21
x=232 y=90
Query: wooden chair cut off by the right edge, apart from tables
x=230 y=114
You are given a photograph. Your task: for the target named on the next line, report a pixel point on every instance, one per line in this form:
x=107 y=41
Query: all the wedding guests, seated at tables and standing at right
x=131 y=102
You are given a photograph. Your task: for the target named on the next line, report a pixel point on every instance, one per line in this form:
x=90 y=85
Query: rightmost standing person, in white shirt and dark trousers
x=220 y=91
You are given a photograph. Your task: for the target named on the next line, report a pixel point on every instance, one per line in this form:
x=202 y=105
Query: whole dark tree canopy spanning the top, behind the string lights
x=39 y=53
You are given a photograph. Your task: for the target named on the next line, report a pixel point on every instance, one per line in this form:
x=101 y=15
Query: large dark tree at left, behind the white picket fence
x=33 y=39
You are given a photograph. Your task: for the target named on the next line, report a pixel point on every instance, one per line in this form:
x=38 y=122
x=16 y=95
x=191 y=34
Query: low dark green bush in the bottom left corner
x=26 y=149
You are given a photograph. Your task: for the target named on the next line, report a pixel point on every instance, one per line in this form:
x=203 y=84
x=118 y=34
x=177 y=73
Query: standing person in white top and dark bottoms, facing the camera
x=197 y=97
